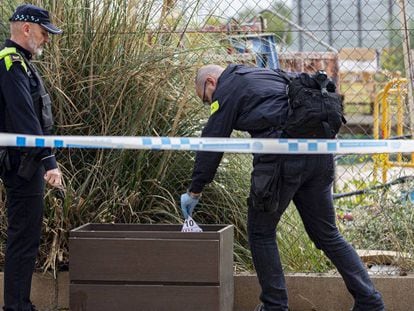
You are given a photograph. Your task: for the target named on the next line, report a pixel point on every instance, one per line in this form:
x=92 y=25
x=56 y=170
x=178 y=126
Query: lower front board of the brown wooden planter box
x=85 y=297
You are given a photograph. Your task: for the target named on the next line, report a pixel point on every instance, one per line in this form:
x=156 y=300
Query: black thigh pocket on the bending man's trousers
x=265 y=188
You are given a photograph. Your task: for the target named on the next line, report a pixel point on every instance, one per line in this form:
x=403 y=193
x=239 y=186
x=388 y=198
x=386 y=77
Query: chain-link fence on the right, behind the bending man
x=365 y=47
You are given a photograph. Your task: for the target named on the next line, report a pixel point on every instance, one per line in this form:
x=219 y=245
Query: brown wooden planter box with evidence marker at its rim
x=150 y=268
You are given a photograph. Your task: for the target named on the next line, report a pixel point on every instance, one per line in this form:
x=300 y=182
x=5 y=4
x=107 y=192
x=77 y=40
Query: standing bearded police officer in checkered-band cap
x=25 y=108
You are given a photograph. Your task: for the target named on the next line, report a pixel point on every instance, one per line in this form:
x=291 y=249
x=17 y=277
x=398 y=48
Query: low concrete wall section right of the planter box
x=326 y=292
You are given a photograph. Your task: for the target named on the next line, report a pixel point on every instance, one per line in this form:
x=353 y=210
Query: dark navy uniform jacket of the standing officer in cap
x=17 y=111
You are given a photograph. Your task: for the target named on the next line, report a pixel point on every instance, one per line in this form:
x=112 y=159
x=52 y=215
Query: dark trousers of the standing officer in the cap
x=24 y=213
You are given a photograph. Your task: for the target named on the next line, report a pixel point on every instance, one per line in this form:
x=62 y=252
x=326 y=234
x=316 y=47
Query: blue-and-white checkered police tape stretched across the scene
x=232 y=145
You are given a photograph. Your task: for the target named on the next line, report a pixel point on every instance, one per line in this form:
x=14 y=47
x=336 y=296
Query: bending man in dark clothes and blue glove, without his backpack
x=254 y=100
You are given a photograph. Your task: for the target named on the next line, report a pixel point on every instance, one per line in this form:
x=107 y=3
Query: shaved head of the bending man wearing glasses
x=206 y=81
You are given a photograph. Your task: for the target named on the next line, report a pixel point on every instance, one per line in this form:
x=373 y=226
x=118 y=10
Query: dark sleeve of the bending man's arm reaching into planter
x=220 y=124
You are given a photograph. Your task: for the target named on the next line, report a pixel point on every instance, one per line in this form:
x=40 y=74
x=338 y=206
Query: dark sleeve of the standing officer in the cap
x=20 y=112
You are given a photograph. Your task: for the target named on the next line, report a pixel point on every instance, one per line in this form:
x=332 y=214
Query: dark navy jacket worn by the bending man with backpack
x=247 y=99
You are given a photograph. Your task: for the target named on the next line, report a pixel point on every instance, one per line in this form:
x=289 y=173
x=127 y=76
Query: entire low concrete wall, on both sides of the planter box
x=307 y=292
